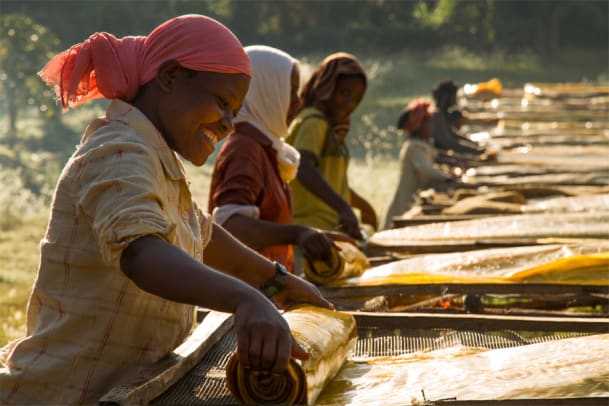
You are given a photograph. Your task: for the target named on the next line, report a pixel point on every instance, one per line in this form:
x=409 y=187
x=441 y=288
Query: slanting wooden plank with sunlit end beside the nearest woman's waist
x=160 y=376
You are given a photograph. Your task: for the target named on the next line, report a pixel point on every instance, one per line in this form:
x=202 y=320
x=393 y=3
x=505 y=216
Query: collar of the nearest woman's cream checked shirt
x=128 y=114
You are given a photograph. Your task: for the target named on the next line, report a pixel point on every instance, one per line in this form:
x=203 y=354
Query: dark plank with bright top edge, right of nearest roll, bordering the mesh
x=477 y=322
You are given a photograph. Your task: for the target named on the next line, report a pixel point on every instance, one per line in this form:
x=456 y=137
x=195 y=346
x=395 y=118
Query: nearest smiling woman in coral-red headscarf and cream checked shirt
x=127 y=253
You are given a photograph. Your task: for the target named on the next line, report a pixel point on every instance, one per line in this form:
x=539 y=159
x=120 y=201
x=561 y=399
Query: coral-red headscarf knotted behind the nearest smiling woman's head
x=105 y=66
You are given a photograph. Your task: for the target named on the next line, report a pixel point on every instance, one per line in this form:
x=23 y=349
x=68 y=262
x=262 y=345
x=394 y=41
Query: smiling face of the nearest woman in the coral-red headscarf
x=196 y=109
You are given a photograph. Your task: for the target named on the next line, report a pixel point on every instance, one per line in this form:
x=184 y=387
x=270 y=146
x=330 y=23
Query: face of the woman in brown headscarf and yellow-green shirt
x=347 y=94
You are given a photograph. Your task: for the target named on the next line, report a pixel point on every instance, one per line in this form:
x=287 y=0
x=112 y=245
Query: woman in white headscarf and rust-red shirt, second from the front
x=249 y=191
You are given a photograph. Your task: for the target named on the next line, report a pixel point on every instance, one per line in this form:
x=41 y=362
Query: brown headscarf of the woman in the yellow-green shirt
x=323 y=80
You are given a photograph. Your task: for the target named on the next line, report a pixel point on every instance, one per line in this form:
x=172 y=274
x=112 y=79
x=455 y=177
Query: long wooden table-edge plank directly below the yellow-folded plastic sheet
x=461 y=288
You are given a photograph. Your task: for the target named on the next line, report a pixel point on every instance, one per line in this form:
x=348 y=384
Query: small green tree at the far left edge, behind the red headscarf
x=24 y=48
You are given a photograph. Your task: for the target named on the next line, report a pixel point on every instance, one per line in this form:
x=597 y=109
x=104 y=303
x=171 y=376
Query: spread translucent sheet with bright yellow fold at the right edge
x=535 y=264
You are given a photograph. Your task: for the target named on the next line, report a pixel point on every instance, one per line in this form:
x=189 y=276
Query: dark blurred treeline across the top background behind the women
x=305 y=26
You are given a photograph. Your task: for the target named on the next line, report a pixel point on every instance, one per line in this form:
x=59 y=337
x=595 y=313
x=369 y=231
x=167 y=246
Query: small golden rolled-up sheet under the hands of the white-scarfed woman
x=347 y=262
